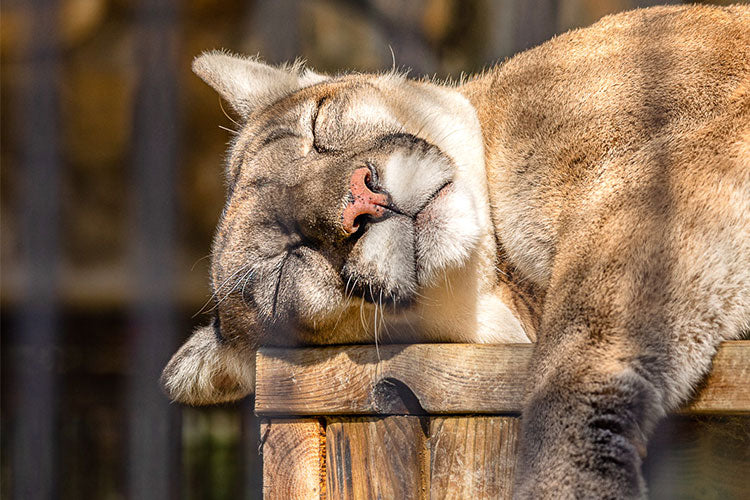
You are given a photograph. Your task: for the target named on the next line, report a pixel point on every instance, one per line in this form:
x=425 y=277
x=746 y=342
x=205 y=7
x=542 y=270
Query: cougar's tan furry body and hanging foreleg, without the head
x=619 y=174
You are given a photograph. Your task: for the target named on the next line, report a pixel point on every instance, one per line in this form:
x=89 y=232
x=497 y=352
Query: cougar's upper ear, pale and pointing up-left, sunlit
x=246 y=83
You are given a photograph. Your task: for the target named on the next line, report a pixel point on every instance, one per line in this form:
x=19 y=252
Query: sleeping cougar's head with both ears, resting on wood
x=356 y=209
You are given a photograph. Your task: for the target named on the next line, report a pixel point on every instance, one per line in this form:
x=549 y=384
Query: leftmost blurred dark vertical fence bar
x=34 y=450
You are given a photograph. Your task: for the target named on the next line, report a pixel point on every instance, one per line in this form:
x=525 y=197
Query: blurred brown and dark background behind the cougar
x=110 y=189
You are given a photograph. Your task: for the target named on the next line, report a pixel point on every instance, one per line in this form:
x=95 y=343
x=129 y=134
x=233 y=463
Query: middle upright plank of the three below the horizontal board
x=376 y=458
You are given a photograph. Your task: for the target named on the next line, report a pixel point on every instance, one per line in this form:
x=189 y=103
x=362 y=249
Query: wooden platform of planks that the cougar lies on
x=441 y=420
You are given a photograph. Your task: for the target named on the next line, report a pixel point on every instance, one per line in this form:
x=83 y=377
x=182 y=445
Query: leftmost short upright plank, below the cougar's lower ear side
x=293 y=458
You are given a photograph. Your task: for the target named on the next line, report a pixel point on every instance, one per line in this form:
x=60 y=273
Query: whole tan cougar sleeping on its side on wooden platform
x=591 y=194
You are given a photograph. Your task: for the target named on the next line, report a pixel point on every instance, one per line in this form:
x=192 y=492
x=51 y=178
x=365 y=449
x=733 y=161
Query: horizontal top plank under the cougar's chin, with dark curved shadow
x=441 y=379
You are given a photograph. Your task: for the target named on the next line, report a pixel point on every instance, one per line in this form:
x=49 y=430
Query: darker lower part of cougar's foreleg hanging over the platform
x=584 y=437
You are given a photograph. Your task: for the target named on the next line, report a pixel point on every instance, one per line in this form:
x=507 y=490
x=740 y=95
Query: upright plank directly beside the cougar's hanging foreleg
x=472 y=457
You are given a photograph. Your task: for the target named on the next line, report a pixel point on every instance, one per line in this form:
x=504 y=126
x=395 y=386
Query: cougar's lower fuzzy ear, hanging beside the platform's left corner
x=208 y=369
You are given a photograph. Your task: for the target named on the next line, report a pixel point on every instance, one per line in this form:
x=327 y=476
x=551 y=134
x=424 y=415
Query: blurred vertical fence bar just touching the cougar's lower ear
x=153 y=464
